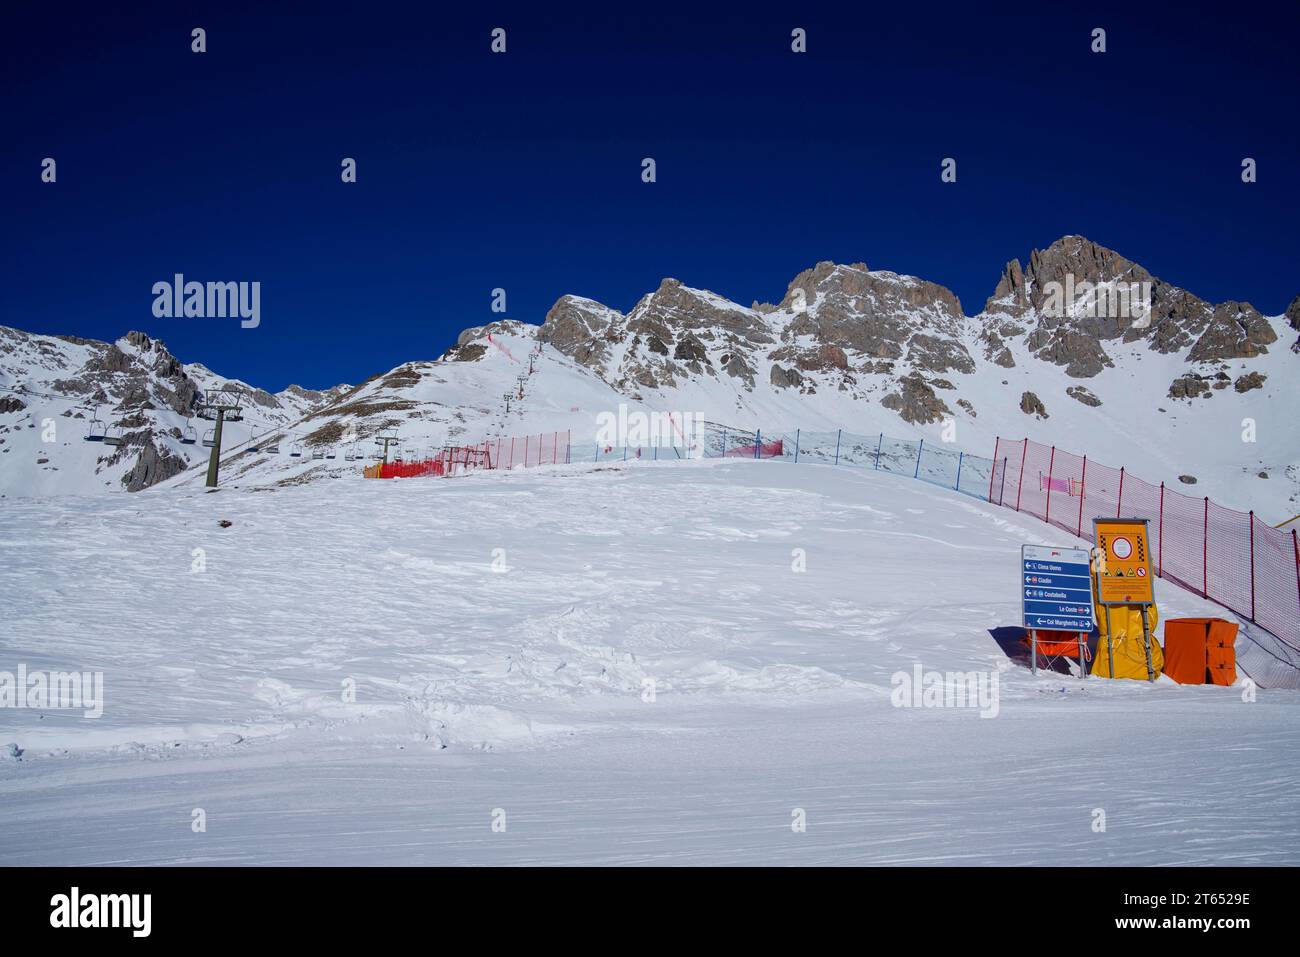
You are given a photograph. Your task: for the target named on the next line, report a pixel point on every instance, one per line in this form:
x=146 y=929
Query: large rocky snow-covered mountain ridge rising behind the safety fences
x=1194 y=395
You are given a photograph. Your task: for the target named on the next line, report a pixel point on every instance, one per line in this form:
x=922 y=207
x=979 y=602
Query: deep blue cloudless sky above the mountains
x=523 y=171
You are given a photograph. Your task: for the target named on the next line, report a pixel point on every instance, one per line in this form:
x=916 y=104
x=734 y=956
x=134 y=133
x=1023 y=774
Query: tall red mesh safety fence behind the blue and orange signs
x=1224 y=556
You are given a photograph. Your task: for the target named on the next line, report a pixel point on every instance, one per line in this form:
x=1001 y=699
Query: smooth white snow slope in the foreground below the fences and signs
x=616 y=664
